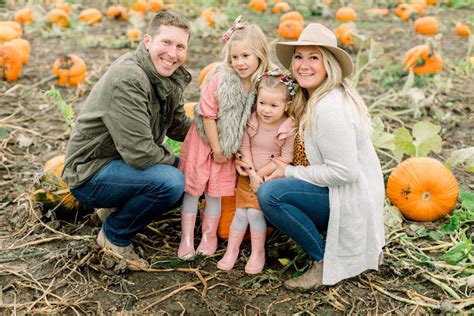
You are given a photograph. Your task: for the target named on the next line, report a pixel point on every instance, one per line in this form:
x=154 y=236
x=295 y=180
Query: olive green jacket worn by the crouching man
x=126 y=116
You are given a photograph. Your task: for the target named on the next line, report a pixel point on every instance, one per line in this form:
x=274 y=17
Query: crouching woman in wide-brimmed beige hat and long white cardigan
x=336 y=183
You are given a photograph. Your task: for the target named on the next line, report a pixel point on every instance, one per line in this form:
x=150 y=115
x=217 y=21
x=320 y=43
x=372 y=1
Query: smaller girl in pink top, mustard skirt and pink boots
x=268 y=135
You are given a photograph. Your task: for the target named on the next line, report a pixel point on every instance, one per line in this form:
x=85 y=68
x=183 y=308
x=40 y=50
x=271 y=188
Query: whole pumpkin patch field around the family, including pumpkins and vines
x=414 y=67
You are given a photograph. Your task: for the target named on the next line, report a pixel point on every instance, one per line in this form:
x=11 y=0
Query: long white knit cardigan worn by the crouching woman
x=343 y=159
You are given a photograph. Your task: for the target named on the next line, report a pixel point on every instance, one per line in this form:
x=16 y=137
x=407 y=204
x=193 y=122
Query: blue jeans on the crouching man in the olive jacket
x=140 y=196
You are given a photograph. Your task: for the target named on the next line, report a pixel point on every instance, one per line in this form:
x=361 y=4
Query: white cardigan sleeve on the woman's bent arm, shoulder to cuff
x=334 y=137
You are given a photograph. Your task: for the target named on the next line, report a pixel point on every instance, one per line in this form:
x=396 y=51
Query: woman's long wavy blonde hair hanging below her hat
x=304 y=106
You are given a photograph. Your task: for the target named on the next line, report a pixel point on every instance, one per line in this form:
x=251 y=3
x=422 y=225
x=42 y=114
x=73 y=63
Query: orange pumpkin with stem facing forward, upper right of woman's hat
x=422 y=60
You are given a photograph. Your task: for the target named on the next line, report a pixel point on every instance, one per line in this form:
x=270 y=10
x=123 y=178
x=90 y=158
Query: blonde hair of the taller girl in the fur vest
x=257 y=42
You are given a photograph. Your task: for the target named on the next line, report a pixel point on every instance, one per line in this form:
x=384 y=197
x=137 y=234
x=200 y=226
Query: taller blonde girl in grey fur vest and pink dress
x=216 y=134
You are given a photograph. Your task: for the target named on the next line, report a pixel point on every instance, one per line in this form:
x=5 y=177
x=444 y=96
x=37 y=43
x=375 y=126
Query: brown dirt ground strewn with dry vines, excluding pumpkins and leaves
x=49 y=265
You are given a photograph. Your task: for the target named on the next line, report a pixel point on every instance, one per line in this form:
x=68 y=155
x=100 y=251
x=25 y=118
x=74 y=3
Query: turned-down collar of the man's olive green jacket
x=164 y=85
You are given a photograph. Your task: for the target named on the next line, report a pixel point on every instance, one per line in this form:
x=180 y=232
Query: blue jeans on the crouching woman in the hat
x=299 y=209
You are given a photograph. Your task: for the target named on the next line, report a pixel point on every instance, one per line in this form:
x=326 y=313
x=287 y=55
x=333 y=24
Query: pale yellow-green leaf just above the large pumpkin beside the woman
x=426 y=138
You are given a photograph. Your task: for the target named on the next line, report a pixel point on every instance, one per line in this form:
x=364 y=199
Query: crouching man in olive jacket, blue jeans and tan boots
x=115 y=157
